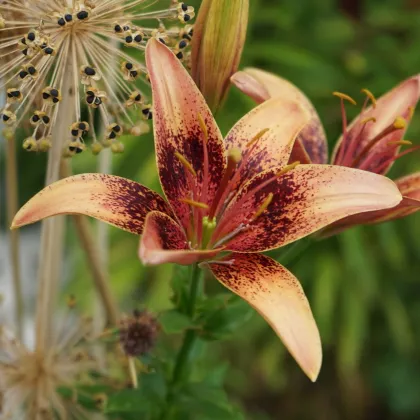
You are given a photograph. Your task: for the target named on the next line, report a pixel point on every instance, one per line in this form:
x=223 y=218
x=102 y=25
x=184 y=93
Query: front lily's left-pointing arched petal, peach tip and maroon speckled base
x=112 y=199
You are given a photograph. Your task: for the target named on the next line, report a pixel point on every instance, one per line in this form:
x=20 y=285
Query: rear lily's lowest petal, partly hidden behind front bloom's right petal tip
x=409 y=187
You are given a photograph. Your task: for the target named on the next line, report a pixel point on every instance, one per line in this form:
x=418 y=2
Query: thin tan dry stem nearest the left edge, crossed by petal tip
x=12 y=207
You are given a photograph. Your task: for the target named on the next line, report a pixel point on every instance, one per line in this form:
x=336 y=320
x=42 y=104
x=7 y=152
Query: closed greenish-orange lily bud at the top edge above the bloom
x=218 y=41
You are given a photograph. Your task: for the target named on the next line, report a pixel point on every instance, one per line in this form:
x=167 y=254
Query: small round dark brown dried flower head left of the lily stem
x=138 y=333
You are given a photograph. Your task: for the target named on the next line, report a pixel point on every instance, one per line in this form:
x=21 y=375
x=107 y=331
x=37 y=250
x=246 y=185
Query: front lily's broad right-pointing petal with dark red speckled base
x=303 y=201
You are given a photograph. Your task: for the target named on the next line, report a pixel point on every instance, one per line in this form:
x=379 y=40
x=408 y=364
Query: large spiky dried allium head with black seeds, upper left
x=87 y=50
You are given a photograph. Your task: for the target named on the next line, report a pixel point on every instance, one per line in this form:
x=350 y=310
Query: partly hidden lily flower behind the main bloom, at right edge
x=372 y=142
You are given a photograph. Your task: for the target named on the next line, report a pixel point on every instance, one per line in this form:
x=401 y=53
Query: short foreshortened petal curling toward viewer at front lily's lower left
x=164 y=241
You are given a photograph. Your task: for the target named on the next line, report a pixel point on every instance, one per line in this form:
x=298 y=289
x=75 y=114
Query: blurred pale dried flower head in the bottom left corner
x=30 y=379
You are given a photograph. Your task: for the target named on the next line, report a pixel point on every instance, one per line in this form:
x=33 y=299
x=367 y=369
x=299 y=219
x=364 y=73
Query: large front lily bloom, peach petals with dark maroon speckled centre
x=227 y=200
